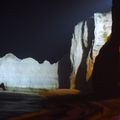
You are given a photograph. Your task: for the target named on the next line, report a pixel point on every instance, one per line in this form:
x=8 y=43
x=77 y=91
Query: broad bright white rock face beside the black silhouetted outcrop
x=103 y=24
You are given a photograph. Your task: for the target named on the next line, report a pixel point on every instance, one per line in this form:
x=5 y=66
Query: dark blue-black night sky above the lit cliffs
x=43 y=29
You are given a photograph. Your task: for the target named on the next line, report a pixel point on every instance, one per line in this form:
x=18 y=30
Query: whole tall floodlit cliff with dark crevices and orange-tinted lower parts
x=88 y=38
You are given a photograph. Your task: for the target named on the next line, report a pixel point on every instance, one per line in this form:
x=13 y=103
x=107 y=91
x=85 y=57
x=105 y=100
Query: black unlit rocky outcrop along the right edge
x=106 y=73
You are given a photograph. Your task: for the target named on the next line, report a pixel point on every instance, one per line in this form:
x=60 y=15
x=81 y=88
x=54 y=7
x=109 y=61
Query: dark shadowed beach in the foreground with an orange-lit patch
x=58 y=105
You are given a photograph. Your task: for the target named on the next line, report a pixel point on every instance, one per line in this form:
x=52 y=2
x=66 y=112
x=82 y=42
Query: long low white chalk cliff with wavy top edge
x=27 y=73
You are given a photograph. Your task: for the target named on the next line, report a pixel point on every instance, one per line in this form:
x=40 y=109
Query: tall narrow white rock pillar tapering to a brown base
x=76 y=52
